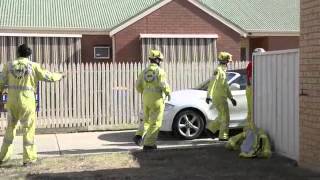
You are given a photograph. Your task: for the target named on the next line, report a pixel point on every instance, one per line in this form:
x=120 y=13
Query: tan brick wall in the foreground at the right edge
x=310 y=84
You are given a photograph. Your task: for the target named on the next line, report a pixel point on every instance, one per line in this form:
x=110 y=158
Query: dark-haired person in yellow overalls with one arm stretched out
x=20 y=77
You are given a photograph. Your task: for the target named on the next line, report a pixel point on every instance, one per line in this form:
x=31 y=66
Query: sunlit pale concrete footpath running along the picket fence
x=98 y=142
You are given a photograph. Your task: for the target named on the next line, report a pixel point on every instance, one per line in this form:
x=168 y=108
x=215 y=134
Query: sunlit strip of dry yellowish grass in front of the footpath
x=14 y=169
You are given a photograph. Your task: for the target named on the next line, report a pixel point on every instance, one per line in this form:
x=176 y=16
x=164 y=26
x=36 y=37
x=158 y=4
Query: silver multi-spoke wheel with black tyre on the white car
x=188 y=124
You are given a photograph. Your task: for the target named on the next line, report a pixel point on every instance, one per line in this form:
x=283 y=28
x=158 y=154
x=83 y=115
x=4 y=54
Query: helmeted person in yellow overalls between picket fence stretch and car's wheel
x=153 y=85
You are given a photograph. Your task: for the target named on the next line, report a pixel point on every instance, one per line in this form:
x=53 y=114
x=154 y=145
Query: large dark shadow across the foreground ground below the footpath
x=213 y=162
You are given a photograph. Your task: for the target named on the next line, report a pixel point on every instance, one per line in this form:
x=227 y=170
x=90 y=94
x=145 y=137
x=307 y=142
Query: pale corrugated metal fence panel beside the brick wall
x=276 y=99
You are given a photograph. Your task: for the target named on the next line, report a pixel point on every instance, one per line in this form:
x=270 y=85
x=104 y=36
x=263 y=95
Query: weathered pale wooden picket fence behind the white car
x=98 y=96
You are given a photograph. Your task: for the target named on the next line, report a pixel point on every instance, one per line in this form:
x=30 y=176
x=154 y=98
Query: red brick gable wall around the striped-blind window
x=179 y=16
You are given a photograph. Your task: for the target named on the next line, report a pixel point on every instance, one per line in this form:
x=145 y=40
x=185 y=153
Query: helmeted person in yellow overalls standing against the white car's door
x=218 y=93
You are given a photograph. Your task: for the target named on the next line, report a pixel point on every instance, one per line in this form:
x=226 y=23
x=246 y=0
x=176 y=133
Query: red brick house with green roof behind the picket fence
x=118 y=31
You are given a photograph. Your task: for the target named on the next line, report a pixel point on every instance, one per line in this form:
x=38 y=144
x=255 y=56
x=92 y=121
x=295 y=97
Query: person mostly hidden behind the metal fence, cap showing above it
x=249 y=93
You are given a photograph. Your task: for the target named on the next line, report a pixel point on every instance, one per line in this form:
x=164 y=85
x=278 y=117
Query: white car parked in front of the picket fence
x=187 y=113
